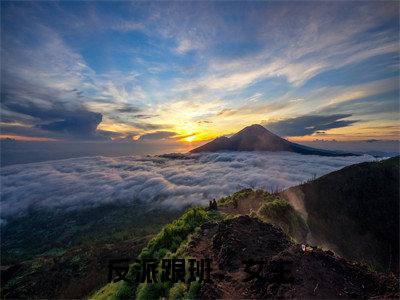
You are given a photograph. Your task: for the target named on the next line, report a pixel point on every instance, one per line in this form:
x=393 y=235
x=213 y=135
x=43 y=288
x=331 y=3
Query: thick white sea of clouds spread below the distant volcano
x=184 y=180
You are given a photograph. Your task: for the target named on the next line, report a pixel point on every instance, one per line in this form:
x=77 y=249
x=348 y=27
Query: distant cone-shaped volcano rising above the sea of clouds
x=258 y=138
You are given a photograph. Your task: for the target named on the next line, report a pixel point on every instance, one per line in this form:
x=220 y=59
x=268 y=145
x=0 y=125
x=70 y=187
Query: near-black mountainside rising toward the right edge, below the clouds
x=355 y=212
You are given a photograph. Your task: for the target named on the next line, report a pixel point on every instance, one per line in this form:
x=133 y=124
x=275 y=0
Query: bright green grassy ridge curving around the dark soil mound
x=173 y=239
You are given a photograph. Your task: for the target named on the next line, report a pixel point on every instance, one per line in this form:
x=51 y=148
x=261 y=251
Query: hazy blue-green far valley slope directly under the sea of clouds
x=56 y=232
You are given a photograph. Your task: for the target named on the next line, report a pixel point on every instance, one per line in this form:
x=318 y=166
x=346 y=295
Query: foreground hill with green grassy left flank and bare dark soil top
x=287 y=270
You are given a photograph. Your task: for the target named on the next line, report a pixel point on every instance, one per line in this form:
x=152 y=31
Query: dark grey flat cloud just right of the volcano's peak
x=309 y=124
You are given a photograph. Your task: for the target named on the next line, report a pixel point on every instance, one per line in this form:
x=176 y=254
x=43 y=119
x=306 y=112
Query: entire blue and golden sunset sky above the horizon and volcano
x=182 y=73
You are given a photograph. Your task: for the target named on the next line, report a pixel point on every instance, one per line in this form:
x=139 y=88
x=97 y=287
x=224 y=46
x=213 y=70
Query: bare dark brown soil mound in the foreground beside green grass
x=287 y=272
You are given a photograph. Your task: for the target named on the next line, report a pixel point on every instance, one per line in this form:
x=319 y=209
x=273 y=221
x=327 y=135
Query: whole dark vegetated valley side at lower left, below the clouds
x=67 y=246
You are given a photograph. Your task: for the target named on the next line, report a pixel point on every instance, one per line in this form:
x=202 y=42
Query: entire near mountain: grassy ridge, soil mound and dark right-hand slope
x=285 y=238
